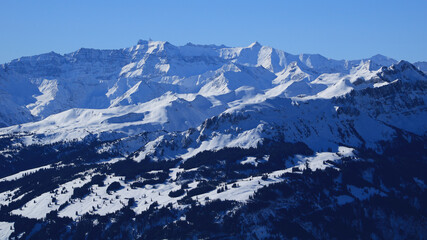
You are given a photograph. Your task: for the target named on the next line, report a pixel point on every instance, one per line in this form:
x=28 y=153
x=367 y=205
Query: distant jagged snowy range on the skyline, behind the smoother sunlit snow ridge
x=51 y=83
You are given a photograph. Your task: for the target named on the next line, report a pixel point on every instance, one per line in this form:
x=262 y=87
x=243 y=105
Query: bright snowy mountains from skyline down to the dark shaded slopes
x=158 y=86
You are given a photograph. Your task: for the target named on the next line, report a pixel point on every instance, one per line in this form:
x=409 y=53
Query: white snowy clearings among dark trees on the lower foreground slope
x=100 y=202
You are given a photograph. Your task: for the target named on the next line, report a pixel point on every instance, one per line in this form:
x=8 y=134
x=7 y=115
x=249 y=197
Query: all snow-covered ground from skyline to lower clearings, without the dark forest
x=163 y=101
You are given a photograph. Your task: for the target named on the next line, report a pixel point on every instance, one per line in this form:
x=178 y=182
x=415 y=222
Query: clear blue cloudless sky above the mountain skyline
x=341 y=29
